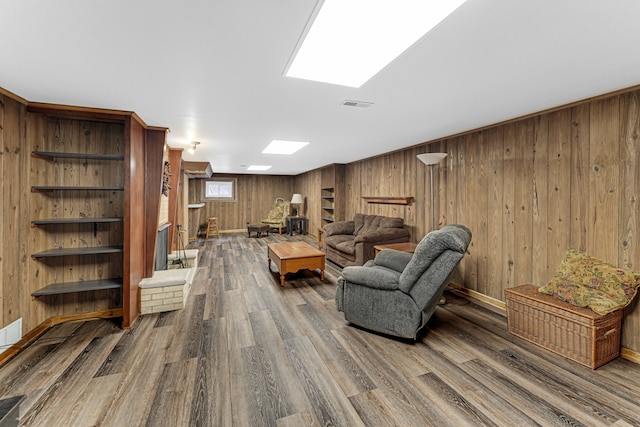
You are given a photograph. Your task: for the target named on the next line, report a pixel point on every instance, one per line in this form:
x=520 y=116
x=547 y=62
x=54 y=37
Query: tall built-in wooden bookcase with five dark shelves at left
x=95 y=182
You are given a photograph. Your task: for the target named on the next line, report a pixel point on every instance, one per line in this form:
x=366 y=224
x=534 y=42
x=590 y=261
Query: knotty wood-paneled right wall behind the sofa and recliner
x=528 y=190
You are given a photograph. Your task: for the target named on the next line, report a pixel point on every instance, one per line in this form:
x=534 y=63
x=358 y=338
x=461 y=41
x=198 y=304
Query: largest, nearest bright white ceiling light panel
x=349 y=41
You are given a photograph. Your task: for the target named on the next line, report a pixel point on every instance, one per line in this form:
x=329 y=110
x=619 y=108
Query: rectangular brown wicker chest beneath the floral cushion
x=577 y=333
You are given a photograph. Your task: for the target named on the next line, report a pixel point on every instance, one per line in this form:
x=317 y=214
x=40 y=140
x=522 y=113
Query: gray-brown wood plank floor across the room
x=247 y=352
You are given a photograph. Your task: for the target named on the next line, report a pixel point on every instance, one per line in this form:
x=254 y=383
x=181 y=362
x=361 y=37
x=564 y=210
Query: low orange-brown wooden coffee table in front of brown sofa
x=293 y=256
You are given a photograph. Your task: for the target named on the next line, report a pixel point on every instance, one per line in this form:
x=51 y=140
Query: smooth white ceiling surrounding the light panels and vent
x=212 y=71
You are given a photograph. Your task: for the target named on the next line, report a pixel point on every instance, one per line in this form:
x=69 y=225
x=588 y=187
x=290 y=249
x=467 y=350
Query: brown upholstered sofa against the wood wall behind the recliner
x=351 y=242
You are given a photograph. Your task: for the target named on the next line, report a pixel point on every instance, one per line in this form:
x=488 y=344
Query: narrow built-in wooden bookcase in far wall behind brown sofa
x=332 y=193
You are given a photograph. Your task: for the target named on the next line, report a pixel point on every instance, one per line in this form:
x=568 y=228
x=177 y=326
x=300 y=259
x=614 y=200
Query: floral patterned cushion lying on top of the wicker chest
x=585 y=281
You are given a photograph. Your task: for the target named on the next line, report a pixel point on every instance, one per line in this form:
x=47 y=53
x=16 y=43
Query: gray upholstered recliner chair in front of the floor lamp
x=396 y=292
